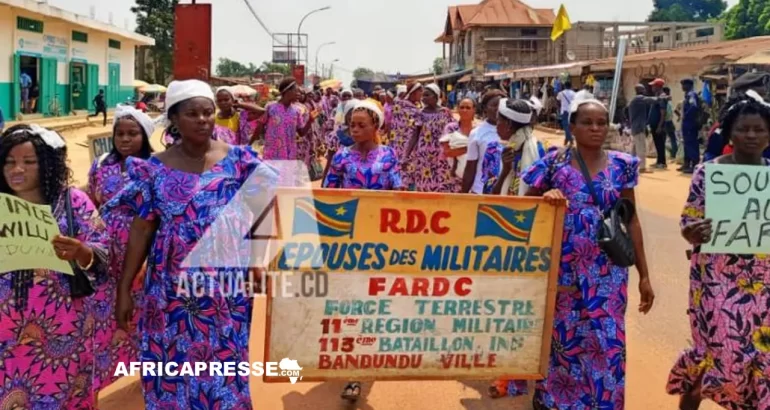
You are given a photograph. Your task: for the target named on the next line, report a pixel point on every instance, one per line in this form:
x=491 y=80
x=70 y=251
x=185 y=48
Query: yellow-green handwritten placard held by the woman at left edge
x=26 y=231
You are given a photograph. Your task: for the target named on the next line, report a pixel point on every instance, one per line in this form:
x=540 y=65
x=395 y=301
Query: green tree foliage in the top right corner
x=748 y=18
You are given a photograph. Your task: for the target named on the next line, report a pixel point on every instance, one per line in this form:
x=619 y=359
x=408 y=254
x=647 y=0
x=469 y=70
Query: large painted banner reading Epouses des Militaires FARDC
x=420 y=286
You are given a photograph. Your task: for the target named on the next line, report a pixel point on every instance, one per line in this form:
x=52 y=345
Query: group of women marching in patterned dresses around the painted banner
x=131 y=232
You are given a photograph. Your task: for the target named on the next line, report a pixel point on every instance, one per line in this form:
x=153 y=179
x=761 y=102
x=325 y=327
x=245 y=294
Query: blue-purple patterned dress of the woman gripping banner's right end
x=588 y=347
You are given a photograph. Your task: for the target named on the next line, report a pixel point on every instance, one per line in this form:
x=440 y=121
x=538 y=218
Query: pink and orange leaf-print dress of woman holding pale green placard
x=729 y=316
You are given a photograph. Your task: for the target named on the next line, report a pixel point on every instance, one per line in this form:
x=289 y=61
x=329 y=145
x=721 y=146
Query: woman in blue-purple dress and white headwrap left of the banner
x=176 y=196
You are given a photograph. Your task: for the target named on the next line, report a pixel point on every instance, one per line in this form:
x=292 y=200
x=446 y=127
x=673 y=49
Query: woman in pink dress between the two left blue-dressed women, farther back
x=283 y=123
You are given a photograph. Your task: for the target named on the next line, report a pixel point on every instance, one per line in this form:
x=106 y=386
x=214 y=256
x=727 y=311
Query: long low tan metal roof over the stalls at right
x=726 y=51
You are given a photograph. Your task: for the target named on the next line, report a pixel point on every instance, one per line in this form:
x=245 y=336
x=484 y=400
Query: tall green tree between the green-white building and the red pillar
x=155 y=18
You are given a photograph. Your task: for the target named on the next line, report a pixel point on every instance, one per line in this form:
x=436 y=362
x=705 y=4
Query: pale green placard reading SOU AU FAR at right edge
x=738 y=203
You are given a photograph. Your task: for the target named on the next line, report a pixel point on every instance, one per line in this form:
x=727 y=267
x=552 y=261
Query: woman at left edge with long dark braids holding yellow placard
x=46 y=335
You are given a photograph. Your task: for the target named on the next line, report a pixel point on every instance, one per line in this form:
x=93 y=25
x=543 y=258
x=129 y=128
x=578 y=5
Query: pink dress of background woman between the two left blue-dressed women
x=282 y=124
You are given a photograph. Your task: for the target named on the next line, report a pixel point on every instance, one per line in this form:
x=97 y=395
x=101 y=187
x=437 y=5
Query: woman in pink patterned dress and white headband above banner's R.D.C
x=429 y=170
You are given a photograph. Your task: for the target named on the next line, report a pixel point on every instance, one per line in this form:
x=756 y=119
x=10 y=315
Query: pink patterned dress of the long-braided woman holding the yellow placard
x=47 y=348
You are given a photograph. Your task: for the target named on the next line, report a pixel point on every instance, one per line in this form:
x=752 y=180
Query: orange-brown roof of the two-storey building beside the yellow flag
x=510 y=13
